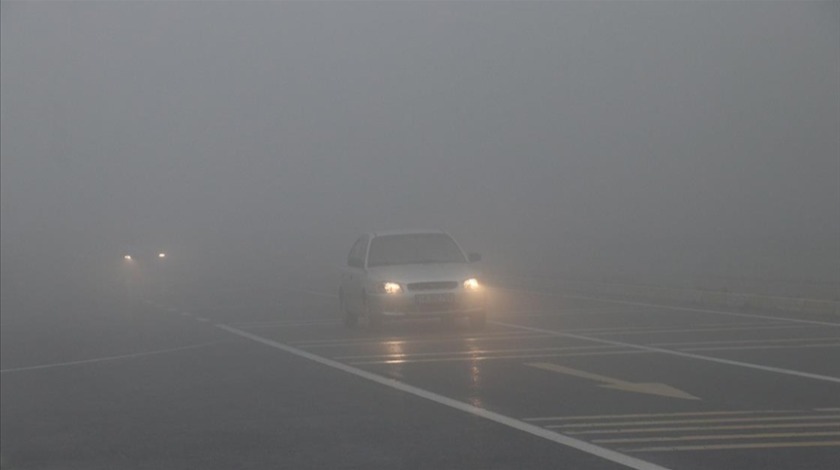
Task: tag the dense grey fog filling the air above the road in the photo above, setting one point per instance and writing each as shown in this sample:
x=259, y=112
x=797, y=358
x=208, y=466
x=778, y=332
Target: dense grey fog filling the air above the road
x=659, y=142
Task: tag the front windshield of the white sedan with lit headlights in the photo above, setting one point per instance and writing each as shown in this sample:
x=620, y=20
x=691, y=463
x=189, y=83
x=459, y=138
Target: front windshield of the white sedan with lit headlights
x=414, y=249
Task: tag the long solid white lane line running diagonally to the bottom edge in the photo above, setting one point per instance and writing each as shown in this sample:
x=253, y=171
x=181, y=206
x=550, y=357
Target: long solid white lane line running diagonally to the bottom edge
x=611, y=455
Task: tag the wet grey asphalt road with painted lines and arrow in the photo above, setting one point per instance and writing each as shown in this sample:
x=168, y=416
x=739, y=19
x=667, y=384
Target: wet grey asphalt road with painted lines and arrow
x=269, y=378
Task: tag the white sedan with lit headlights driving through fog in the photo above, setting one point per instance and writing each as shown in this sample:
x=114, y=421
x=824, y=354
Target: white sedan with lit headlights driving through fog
x=410, y=274
